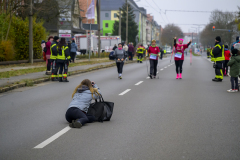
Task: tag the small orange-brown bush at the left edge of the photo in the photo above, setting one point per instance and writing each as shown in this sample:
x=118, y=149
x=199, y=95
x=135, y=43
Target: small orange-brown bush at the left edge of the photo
x=7, y=52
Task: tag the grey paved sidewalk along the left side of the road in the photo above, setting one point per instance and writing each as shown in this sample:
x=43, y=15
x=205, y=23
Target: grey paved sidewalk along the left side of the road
x=31, y=76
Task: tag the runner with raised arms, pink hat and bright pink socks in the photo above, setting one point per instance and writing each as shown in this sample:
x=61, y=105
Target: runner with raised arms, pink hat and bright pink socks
x=179, y=55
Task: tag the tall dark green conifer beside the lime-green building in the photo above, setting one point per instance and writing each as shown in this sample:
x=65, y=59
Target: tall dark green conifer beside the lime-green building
x=132, y=25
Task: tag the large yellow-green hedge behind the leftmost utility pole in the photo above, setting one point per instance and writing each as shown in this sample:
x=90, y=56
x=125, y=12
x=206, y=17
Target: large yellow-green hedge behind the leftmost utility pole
x=19, y=35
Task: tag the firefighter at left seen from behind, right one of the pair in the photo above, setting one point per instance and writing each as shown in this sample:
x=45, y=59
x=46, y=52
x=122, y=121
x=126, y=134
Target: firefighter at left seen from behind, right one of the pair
x=62, y=60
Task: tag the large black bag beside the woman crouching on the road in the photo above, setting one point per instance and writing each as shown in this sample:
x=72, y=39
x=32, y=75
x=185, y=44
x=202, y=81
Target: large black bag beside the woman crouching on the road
x=101, y=110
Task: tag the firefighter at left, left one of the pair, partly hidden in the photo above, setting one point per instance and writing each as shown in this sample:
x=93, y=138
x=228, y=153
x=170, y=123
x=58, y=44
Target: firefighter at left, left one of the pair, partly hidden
x=52, y=59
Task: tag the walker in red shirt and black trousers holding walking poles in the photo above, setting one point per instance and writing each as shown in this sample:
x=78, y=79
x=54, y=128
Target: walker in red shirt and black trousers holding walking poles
x=153, y=52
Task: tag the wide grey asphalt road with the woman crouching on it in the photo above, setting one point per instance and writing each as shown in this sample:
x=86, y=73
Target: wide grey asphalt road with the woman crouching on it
x=160, y=119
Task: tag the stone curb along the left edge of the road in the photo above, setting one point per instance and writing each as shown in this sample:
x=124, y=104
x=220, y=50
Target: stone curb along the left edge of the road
x=42, y=80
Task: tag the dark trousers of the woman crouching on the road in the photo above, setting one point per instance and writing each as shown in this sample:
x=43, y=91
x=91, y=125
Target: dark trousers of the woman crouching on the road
x=74, y=113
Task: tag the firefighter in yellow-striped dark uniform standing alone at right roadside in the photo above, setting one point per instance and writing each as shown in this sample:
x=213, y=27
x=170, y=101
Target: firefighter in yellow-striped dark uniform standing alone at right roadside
x=219, y=58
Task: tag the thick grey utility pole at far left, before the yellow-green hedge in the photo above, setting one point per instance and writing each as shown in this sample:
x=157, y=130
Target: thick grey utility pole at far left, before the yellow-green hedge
x=31, y=33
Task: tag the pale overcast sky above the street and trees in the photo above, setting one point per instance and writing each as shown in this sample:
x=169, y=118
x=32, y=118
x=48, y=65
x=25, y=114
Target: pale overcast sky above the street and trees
x=187, y=5
